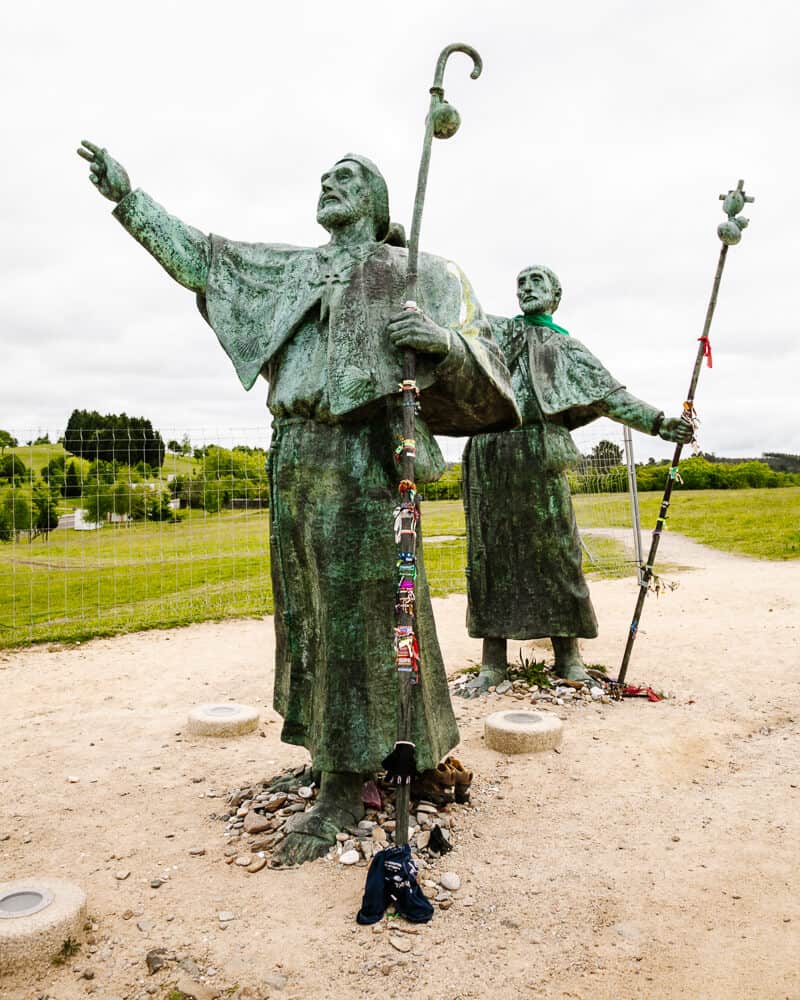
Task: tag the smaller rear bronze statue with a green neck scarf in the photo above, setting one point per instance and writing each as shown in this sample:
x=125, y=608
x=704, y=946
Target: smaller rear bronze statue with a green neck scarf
x=525, y=577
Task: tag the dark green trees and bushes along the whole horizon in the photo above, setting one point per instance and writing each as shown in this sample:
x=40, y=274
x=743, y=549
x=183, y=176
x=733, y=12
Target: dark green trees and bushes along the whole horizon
x=128, y=486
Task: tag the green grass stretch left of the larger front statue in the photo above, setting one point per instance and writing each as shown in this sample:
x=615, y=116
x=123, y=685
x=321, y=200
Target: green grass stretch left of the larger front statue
x=129, y=577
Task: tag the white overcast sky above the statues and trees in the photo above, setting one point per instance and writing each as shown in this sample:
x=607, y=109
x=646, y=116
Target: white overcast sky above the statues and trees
x=596, y=142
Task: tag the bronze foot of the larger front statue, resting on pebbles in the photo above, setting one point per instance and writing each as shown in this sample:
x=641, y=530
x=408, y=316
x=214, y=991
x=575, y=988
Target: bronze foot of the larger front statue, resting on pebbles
x=313, y=833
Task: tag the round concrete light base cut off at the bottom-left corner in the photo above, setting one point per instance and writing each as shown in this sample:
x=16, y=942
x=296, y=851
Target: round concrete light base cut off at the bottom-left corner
x=37, y=917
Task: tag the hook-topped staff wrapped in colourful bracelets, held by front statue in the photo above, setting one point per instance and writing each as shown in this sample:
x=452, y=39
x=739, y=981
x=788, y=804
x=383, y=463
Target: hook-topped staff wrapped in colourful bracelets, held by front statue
x=442, y=122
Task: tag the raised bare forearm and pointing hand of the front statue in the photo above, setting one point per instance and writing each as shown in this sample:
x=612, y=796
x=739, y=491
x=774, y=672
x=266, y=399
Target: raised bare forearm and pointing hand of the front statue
x=183, y=251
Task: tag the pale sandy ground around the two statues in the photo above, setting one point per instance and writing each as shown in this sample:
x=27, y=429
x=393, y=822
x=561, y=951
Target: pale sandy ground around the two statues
x=656, y=856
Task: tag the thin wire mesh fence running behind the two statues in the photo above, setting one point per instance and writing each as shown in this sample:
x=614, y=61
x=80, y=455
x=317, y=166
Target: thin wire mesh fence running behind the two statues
x=121, y=529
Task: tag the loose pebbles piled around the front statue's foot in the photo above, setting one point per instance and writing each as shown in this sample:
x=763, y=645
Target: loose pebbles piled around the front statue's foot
x=257, y=817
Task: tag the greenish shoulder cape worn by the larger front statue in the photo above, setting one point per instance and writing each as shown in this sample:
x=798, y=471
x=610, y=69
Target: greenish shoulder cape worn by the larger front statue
x=258, y=295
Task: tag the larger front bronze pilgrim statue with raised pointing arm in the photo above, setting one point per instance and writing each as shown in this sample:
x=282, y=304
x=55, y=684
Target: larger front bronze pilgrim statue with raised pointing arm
x=324, y=326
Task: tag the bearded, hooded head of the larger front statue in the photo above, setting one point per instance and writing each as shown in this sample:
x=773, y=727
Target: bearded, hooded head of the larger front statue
x=351, y=189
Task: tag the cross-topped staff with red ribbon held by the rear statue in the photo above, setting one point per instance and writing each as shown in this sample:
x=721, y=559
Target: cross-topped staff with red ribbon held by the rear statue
x=730, y=233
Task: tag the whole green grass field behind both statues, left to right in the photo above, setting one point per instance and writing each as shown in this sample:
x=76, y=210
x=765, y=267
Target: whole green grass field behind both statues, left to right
x=146, y=575
